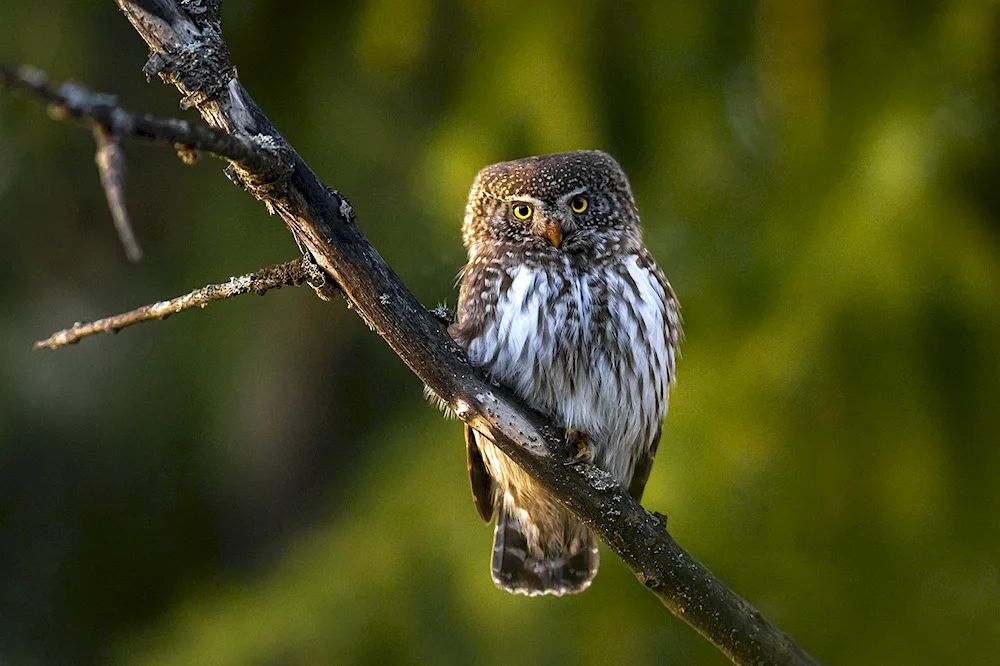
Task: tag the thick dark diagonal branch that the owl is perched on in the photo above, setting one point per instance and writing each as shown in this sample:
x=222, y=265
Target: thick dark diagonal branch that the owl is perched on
x=187, y=51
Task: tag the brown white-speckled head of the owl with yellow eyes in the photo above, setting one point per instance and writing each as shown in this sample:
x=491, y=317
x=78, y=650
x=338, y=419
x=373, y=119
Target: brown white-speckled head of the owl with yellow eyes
x=578, y=203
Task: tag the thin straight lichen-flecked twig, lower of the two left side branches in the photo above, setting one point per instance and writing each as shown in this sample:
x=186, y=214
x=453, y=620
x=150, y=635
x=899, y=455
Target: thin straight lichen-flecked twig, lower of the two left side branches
x=292, y=273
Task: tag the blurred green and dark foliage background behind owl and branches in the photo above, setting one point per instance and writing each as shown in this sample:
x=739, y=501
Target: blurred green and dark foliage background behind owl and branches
x=261, y=482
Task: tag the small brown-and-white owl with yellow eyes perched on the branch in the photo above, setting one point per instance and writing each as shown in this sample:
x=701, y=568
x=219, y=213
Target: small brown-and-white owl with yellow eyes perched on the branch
x=562, y=303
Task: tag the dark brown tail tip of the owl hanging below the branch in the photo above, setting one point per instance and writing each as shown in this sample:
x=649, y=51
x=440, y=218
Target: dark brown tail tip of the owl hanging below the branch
x=564, y=566
